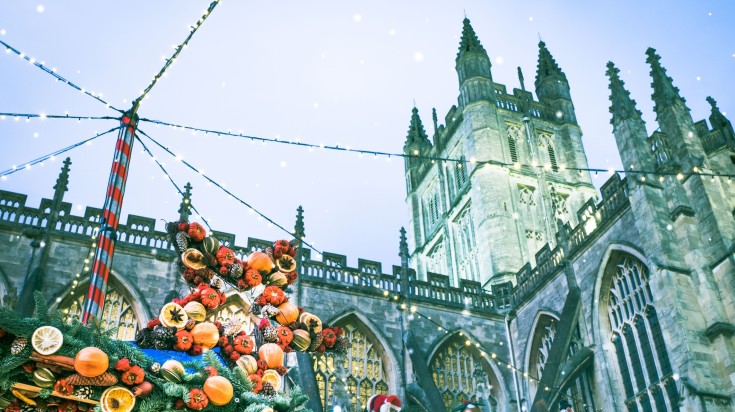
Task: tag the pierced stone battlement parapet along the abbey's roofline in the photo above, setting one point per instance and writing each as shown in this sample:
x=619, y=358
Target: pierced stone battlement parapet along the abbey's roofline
x=139, y=233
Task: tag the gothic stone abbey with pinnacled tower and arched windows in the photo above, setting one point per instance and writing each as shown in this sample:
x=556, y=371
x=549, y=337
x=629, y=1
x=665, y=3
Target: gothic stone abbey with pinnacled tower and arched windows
x=526, y=289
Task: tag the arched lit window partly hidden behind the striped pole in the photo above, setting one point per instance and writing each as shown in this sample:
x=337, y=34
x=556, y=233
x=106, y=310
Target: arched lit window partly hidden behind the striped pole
x=117, y=313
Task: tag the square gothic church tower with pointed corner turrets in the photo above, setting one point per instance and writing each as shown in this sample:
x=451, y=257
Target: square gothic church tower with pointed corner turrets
x=483, y=218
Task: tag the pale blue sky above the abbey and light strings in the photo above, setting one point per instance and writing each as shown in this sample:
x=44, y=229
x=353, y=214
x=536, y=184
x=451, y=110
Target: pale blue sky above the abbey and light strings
x=332, y=72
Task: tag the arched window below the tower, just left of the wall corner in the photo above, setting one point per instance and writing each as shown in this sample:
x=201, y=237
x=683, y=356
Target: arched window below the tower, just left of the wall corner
x=460, y=374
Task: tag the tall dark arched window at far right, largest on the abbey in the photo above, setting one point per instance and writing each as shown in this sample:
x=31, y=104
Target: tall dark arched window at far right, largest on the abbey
x=635, y=334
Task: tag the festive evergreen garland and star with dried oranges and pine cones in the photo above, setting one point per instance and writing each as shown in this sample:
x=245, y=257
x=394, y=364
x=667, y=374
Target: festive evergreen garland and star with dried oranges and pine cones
x=48, y=364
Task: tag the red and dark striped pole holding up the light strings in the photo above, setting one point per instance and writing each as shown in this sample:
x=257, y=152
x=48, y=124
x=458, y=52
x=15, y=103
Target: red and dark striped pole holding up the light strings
x=95, y=299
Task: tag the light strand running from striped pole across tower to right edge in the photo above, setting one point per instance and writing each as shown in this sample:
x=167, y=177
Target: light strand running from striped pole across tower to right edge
x=461, y=162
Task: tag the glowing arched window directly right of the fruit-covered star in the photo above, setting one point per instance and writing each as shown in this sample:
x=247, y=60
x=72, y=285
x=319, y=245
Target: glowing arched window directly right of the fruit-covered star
x=355, y=376
